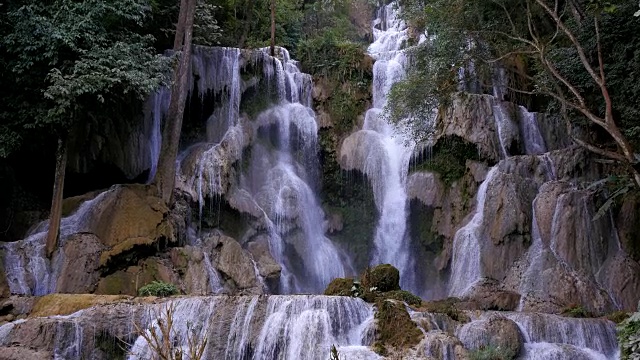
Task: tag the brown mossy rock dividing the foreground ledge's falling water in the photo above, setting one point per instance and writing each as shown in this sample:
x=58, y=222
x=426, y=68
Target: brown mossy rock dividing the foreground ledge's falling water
x=394, y=327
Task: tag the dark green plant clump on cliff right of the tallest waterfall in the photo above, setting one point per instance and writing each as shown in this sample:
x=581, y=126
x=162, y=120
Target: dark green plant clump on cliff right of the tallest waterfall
x=448, y=158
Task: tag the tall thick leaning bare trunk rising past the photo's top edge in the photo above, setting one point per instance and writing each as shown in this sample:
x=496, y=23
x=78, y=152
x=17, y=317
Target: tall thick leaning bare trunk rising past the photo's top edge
x=165, y=177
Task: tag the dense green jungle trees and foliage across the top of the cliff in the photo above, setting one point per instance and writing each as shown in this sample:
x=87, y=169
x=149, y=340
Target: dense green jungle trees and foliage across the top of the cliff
x=65, y=62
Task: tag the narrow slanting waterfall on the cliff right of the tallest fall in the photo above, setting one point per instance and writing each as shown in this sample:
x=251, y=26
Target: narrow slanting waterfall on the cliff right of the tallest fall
x=465, y=262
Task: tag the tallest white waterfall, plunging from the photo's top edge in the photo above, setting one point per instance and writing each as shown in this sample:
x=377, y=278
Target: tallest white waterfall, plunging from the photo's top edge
x=382, y=153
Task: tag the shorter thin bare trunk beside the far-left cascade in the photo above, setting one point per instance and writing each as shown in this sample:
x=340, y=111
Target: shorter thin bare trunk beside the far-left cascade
x=56, y=202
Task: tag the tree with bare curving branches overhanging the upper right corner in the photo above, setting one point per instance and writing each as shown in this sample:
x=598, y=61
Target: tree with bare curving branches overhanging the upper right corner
x=554, y=49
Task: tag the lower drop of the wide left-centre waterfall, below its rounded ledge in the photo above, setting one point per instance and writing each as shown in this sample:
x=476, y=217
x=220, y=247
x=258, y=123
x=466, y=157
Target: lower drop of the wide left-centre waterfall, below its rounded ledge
x=280, y=180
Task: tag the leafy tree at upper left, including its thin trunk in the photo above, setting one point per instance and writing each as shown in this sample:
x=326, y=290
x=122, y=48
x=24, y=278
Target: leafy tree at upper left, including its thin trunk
x=72, y=59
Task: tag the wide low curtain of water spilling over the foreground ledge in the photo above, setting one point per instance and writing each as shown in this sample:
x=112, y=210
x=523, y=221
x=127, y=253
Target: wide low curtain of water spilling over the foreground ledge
x=277, y=327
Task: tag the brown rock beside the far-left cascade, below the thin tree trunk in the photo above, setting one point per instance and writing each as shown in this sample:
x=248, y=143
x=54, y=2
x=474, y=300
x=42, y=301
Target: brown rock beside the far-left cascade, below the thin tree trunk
x=79, y=272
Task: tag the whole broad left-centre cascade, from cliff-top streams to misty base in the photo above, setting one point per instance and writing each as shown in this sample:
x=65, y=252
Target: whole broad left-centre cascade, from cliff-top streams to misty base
x=280, y=177
